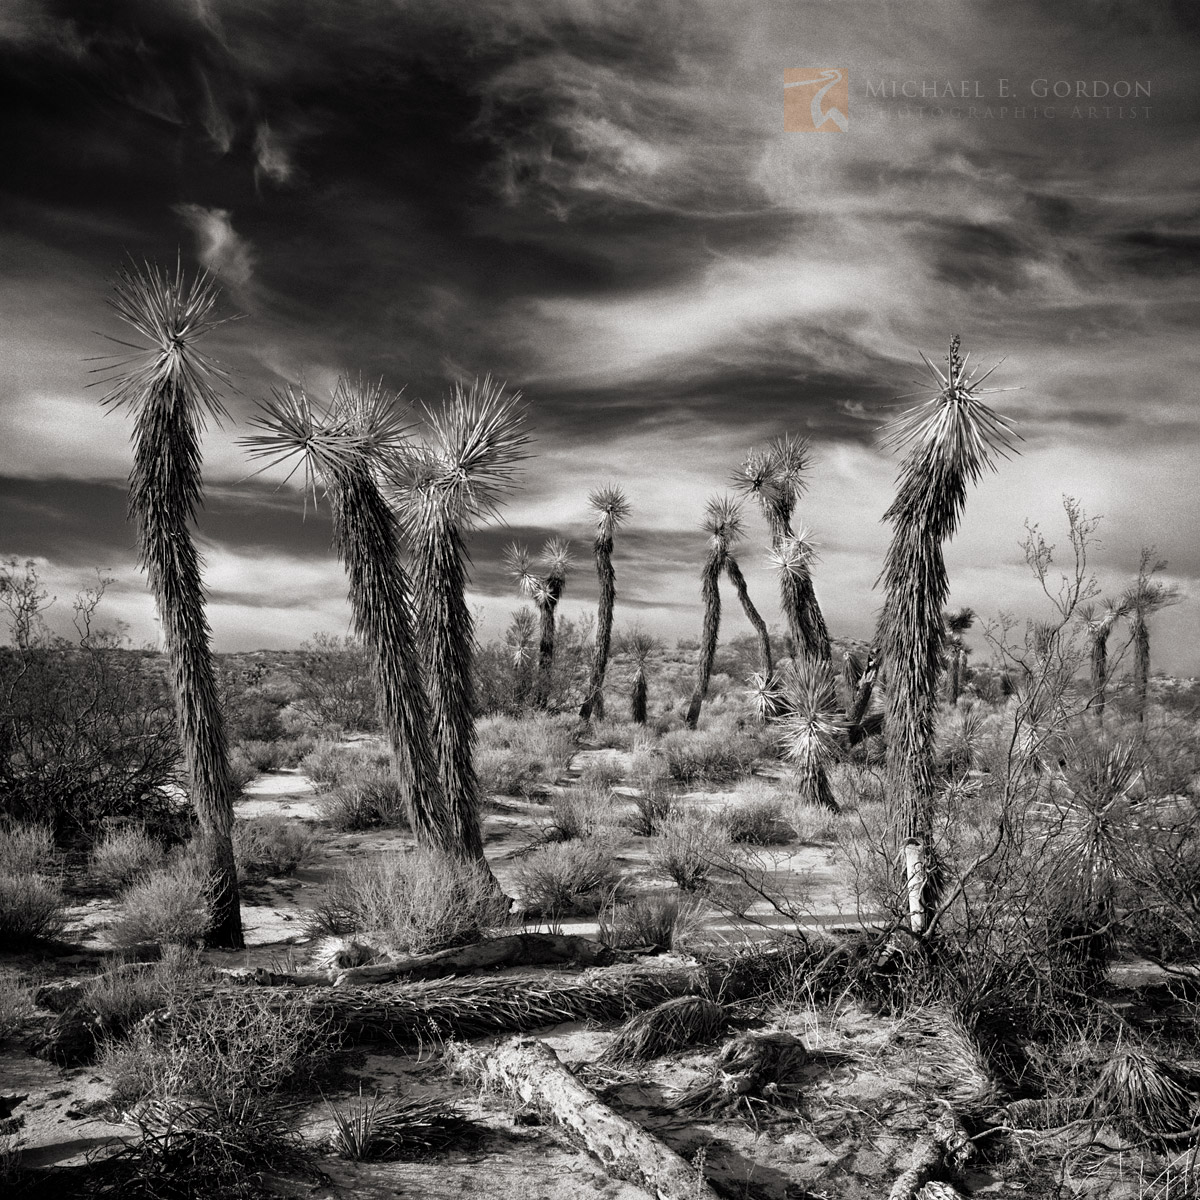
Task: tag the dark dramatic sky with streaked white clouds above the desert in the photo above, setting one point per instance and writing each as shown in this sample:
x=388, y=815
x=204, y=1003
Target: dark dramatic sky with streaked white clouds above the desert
x=599, y=203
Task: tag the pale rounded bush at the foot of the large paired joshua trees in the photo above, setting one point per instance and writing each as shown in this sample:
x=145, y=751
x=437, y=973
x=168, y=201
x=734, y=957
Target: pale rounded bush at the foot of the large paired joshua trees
x=418, y=902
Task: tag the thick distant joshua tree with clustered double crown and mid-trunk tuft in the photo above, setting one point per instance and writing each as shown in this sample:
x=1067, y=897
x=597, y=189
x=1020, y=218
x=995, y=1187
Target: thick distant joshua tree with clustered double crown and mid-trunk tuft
x=776, y=478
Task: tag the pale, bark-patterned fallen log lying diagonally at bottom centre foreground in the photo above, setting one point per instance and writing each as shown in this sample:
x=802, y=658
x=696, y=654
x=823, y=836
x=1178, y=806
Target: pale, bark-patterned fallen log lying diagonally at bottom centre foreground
x=530, y=1070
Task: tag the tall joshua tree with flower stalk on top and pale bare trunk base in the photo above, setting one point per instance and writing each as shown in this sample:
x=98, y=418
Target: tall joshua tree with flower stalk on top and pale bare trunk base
x=950, y=441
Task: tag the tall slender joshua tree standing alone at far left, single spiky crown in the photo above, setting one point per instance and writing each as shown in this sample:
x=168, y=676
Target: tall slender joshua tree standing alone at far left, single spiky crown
x=171, y=388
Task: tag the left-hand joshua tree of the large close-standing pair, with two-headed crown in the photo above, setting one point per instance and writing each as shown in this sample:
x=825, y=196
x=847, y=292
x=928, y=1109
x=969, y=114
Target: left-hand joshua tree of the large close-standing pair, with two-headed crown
x=347, y=451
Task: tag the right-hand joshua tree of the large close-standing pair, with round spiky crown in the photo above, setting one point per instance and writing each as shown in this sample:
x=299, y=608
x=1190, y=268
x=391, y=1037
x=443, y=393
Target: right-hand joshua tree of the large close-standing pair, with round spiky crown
x=454, y=482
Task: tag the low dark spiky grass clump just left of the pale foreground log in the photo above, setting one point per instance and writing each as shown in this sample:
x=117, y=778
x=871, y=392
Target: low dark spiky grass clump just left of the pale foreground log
x=391, y=1129
